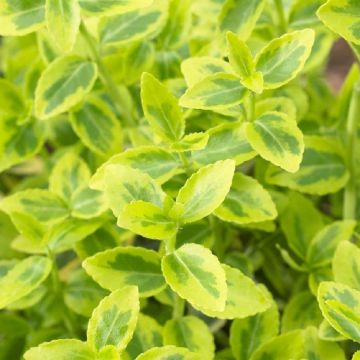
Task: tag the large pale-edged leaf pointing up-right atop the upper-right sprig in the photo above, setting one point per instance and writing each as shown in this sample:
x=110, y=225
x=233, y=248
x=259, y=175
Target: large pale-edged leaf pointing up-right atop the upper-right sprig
x=283, y=58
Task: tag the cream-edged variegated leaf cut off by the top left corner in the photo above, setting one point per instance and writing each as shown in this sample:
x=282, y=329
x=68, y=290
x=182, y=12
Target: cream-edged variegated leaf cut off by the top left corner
x=21, y=17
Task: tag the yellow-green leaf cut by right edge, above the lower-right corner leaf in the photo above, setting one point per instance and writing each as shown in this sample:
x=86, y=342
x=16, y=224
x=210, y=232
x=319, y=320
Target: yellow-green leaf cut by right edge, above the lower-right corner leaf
x=346, y=264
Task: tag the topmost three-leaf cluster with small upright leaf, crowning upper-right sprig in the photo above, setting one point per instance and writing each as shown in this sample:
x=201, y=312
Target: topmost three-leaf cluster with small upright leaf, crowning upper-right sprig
x=277, y=64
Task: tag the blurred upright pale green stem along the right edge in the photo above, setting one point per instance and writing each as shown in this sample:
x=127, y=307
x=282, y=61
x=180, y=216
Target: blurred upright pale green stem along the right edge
x=349, y=210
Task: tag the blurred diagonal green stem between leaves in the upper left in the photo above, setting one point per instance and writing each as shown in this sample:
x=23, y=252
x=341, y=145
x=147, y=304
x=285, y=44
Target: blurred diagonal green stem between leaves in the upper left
x=120, y=95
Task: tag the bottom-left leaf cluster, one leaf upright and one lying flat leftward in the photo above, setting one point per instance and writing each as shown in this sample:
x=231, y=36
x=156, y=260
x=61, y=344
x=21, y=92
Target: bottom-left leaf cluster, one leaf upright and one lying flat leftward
x=110, y=329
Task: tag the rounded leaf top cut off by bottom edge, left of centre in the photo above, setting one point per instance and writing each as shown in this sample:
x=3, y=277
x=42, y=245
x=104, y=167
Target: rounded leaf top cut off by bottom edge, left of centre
x=167, y=353
